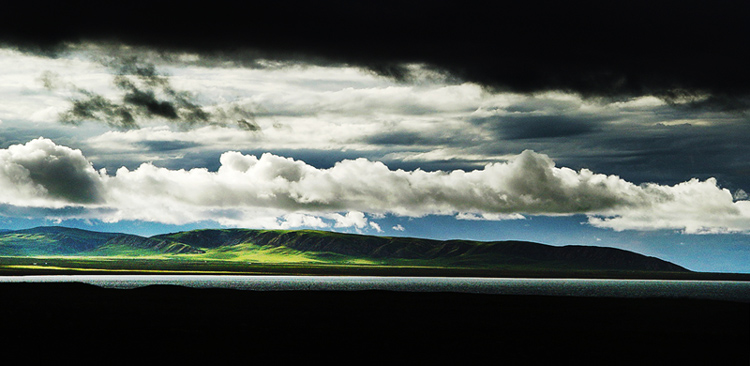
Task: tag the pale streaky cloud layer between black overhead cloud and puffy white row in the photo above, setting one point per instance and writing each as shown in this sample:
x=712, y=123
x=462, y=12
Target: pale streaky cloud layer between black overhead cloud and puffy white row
x=322, y=115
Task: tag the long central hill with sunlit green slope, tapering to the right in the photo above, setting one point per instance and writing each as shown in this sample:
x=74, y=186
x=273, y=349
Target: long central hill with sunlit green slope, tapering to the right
x=336, y=248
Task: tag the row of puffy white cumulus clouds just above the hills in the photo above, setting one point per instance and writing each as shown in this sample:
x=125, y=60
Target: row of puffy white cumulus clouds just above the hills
x=274, y=191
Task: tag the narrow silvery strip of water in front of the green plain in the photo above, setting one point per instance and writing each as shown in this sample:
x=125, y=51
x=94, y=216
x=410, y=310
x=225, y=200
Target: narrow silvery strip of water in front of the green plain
x=718, y=290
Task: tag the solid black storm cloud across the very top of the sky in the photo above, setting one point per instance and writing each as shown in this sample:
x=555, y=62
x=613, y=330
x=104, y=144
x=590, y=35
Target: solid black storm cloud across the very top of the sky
x=602, y=49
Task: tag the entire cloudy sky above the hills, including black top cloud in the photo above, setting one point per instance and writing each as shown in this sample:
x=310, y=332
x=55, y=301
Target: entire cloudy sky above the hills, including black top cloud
x=620, y=125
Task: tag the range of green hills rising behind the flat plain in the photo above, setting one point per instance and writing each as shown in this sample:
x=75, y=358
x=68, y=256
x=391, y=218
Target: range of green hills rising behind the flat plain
x=322, y=247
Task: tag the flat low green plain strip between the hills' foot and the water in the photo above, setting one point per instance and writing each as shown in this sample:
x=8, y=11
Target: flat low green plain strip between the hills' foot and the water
x=264, y=265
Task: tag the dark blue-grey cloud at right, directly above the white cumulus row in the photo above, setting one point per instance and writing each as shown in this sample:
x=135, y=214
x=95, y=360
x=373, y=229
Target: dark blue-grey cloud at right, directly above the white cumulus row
x=648, y=153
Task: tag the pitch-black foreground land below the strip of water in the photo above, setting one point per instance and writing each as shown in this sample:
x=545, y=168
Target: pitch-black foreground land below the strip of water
x=173, y=324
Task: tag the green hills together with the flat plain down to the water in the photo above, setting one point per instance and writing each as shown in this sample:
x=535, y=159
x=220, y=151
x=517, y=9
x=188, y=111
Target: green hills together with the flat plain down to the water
x=58, y=250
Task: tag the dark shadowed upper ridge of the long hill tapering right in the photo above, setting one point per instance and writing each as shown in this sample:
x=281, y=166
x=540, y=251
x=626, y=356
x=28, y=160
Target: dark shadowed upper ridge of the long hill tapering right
x=468, y=252
